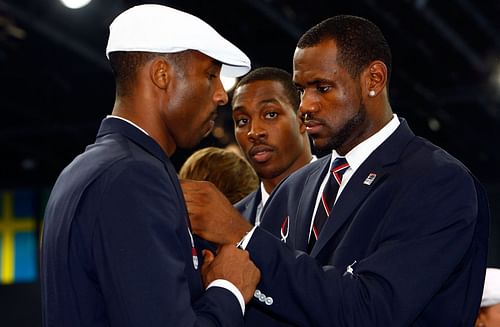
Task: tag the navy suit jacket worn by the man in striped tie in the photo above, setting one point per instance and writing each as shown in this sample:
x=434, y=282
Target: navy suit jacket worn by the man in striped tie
x=407, y=249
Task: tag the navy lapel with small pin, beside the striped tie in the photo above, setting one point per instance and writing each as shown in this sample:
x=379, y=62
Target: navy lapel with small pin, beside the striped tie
x=380, y=163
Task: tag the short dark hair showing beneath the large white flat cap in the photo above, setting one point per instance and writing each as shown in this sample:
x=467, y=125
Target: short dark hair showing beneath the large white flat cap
x=126, y=64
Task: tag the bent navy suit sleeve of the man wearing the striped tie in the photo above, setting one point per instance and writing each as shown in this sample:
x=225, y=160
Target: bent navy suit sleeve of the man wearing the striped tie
x=425, y=235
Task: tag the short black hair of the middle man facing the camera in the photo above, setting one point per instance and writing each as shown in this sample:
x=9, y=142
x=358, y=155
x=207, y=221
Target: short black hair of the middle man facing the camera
x=274, y=74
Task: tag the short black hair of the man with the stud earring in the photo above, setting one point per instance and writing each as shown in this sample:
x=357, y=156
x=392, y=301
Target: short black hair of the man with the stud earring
x=359, y=42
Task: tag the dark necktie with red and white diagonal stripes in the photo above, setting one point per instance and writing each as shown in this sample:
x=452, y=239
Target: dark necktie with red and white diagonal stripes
x=337, y=170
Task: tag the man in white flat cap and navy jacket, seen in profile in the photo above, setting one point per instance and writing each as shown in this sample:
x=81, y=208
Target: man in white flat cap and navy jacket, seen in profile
x=117, y=248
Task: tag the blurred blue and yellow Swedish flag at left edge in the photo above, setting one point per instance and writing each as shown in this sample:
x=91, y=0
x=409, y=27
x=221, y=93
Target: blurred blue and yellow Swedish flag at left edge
x=18, y=245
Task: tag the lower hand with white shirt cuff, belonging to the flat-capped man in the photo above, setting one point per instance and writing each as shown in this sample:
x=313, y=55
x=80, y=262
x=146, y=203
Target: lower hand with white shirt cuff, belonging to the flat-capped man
x=234, y=265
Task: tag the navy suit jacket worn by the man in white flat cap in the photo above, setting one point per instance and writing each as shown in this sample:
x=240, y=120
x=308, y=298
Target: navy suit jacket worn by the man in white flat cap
x=116, y=250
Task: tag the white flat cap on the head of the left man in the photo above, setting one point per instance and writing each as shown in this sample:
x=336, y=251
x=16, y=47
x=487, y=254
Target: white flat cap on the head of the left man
x=157, y=28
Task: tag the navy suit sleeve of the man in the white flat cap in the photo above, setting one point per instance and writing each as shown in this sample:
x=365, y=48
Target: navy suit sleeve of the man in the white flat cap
x=141, y=248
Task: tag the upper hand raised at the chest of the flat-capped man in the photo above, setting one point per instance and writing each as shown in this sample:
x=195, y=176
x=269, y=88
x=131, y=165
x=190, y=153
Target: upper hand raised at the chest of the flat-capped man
x=212, y=216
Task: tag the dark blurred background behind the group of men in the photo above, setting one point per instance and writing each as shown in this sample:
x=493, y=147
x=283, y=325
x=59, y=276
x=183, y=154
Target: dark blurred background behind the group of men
x=56, y=87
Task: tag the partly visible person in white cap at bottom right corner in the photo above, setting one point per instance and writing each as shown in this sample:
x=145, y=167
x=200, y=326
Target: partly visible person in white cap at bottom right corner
x=489, y=313
